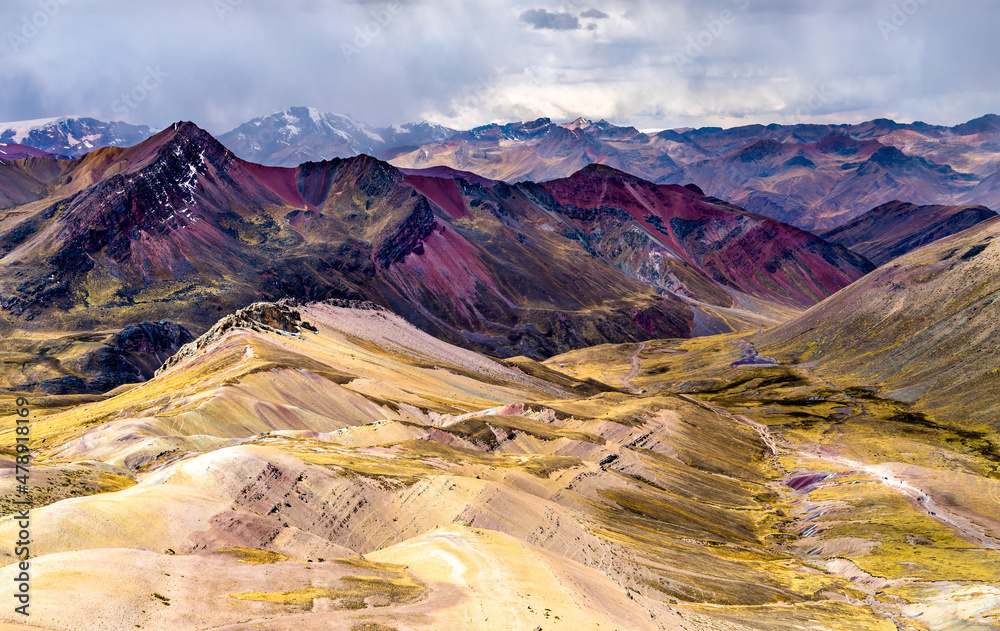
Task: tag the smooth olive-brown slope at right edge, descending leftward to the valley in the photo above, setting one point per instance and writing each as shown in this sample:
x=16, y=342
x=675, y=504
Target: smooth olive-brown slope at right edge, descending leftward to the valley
x=921, y=328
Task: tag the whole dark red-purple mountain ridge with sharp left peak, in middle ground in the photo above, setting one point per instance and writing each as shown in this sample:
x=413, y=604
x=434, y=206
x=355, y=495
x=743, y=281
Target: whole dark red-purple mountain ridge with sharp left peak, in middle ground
x=177, y=227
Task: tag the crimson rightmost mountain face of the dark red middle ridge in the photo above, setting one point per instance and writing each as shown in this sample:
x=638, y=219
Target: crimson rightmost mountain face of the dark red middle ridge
x=732, y=248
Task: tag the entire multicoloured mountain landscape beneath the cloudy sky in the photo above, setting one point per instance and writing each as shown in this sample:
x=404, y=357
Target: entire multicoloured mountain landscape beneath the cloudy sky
x=345, y=394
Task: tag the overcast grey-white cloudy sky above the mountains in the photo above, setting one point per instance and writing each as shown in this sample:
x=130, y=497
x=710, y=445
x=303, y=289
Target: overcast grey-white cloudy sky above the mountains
x=651, y=63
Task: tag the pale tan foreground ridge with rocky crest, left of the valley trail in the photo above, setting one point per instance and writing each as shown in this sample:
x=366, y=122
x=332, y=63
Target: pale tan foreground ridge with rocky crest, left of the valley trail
x=325, y=464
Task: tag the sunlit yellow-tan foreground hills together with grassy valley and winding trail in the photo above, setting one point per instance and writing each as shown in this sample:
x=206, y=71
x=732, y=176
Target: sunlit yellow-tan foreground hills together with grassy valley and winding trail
x=326, y=464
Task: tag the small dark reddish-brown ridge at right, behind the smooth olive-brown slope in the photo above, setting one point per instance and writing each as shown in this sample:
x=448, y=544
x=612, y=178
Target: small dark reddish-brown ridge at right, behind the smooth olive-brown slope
x=896, y=228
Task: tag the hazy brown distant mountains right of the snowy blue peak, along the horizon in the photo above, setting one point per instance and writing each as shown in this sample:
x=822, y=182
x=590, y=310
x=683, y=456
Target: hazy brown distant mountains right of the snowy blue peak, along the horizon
x=812, y=176
